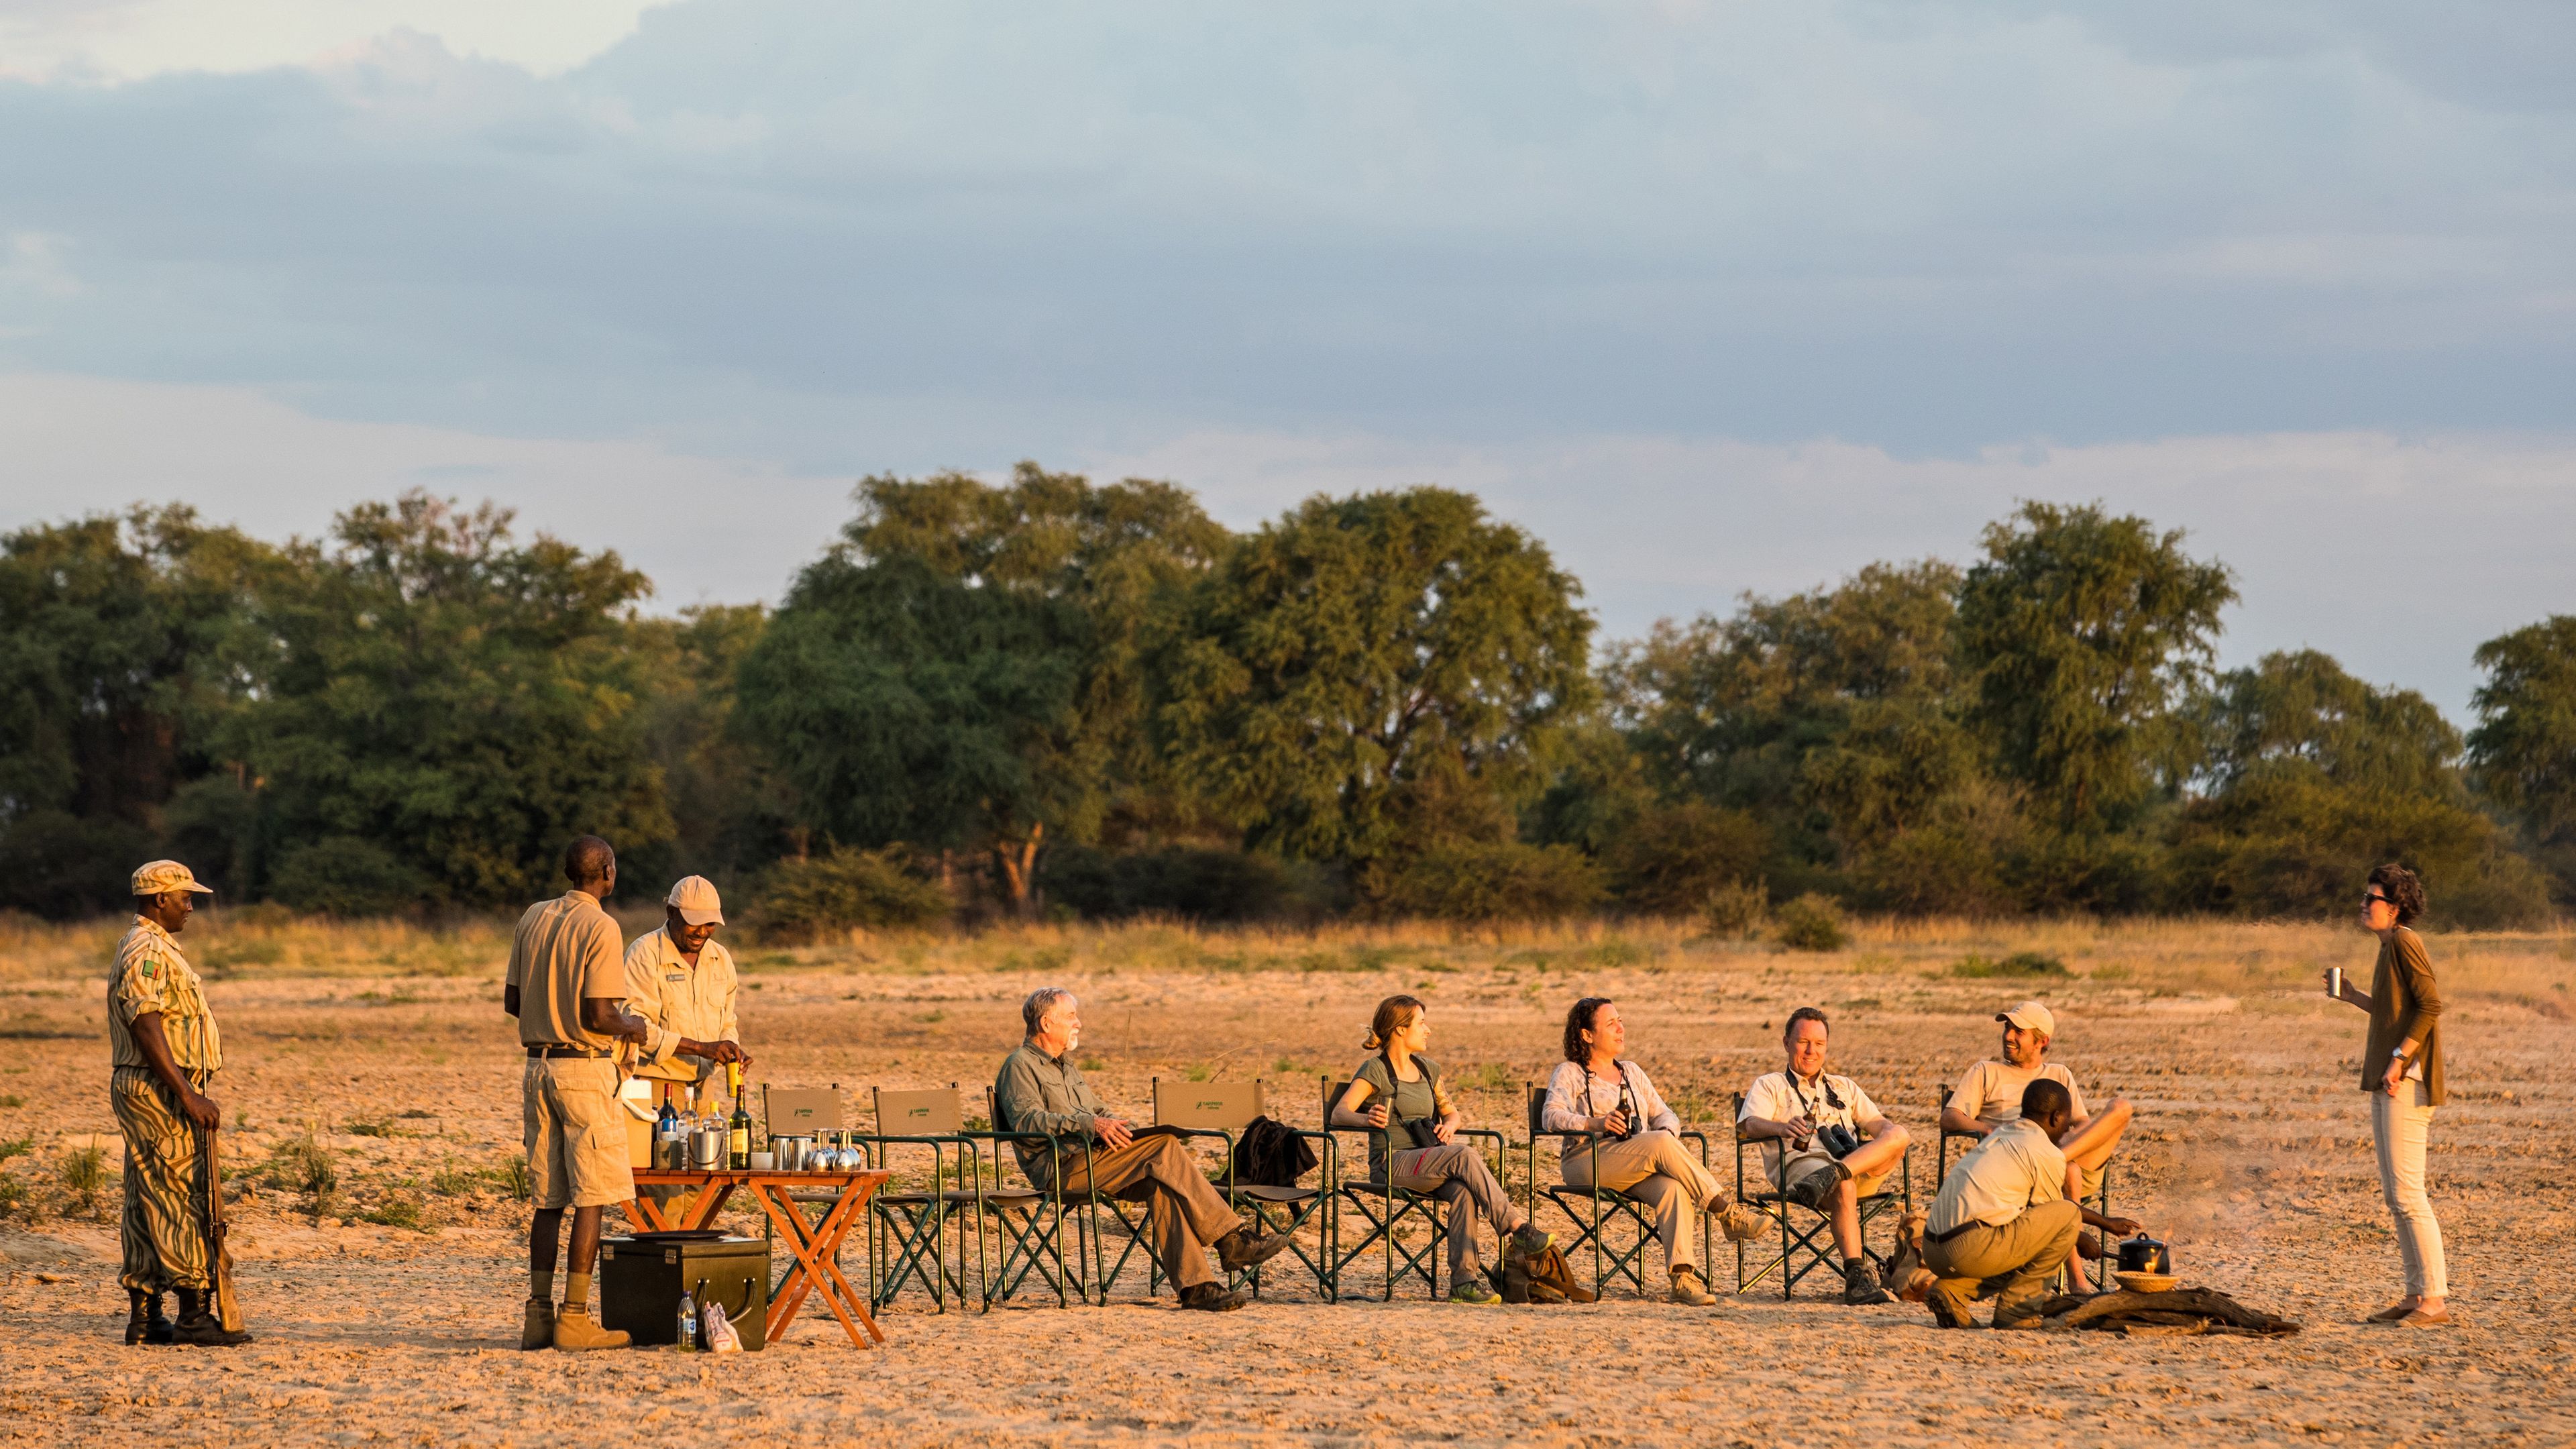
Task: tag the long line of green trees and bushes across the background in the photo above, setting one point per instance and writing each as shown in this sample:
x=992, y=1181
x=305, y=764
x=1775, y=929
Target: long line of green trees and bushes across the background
x=1065, y=697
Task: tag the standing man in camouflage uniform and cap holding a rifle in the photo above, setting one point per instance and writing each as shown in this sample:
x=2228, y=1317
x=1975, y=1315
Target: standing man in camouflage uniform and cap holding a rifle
x=164, y=1056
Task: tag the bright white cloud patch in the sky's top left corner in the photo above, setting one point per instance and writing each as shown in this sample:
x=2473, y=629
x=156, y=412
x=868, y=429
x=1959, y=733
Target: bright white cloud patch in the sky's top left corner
x=138, y=40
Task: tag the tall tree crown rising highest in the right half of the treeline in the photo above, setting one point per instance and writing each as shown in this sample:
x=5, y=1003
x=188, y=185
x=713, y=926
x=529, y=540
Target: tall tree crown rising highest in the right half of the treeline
x=2080, y=633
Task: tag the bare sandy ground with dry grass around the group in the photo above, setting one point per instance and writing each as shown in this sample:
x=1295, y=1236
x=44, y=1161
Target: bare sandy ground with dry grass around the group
x=2250, y=1156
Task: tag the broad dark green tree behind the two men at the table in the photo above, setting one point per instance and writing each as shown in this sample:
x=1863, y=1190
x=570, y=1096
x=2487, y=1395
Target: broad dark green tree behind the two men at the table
x=444, y=708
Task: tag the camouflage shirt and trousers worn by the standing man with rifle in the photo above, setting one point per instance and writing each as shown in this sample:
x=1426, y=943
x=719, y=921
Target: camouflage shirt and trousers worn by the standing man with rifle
x=161, y=1234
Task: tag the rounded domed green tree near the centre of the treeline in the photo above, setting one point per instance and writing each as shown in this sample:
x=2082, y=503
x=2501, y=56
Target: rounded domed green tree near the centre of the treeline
x=1377, y=672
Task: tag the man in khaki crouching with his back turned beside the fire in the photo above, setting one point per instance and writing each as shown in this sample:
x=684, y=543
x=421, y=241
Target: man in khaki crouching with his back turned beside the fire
x=2003, y=1221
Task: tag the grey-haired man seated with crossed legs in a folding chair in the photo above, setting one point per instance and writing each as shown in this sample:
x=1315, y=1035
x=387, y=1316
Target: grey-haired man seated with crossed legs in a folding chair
x=1042, y=1089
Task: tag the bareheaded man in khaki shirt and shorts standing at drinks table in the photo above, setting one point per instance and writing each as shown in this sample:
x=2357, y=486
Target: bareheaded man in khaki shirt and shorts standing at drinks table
x=568, y=994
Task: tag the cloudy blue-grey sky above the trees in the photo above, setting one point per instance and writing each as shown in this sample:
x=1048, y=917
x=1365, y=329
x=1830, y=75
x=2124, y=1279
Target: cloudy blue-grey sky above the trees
x=1712, y=298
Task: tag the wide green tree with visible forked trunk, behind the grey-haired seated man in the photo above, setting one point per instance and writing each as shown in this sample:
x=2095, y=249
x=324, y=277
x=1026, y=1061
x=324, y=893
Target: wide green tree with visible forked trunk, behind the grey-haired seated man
x=967, y=669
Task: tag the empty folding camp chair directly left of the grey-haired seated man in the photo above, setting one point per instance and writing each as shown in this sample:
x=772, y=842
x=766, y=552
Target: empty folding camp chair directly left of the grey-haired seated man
x=908, y=1231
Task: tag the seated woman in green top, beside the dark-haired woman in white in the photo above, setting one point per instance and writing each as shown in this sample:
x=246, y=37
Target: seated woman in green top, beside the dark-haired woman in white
x=1413, y=1123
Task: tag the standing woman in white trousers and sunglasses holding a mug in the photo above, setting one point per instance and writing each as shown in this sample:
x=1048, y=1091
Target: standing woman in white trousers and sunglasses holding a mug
x=2402, y=1071
